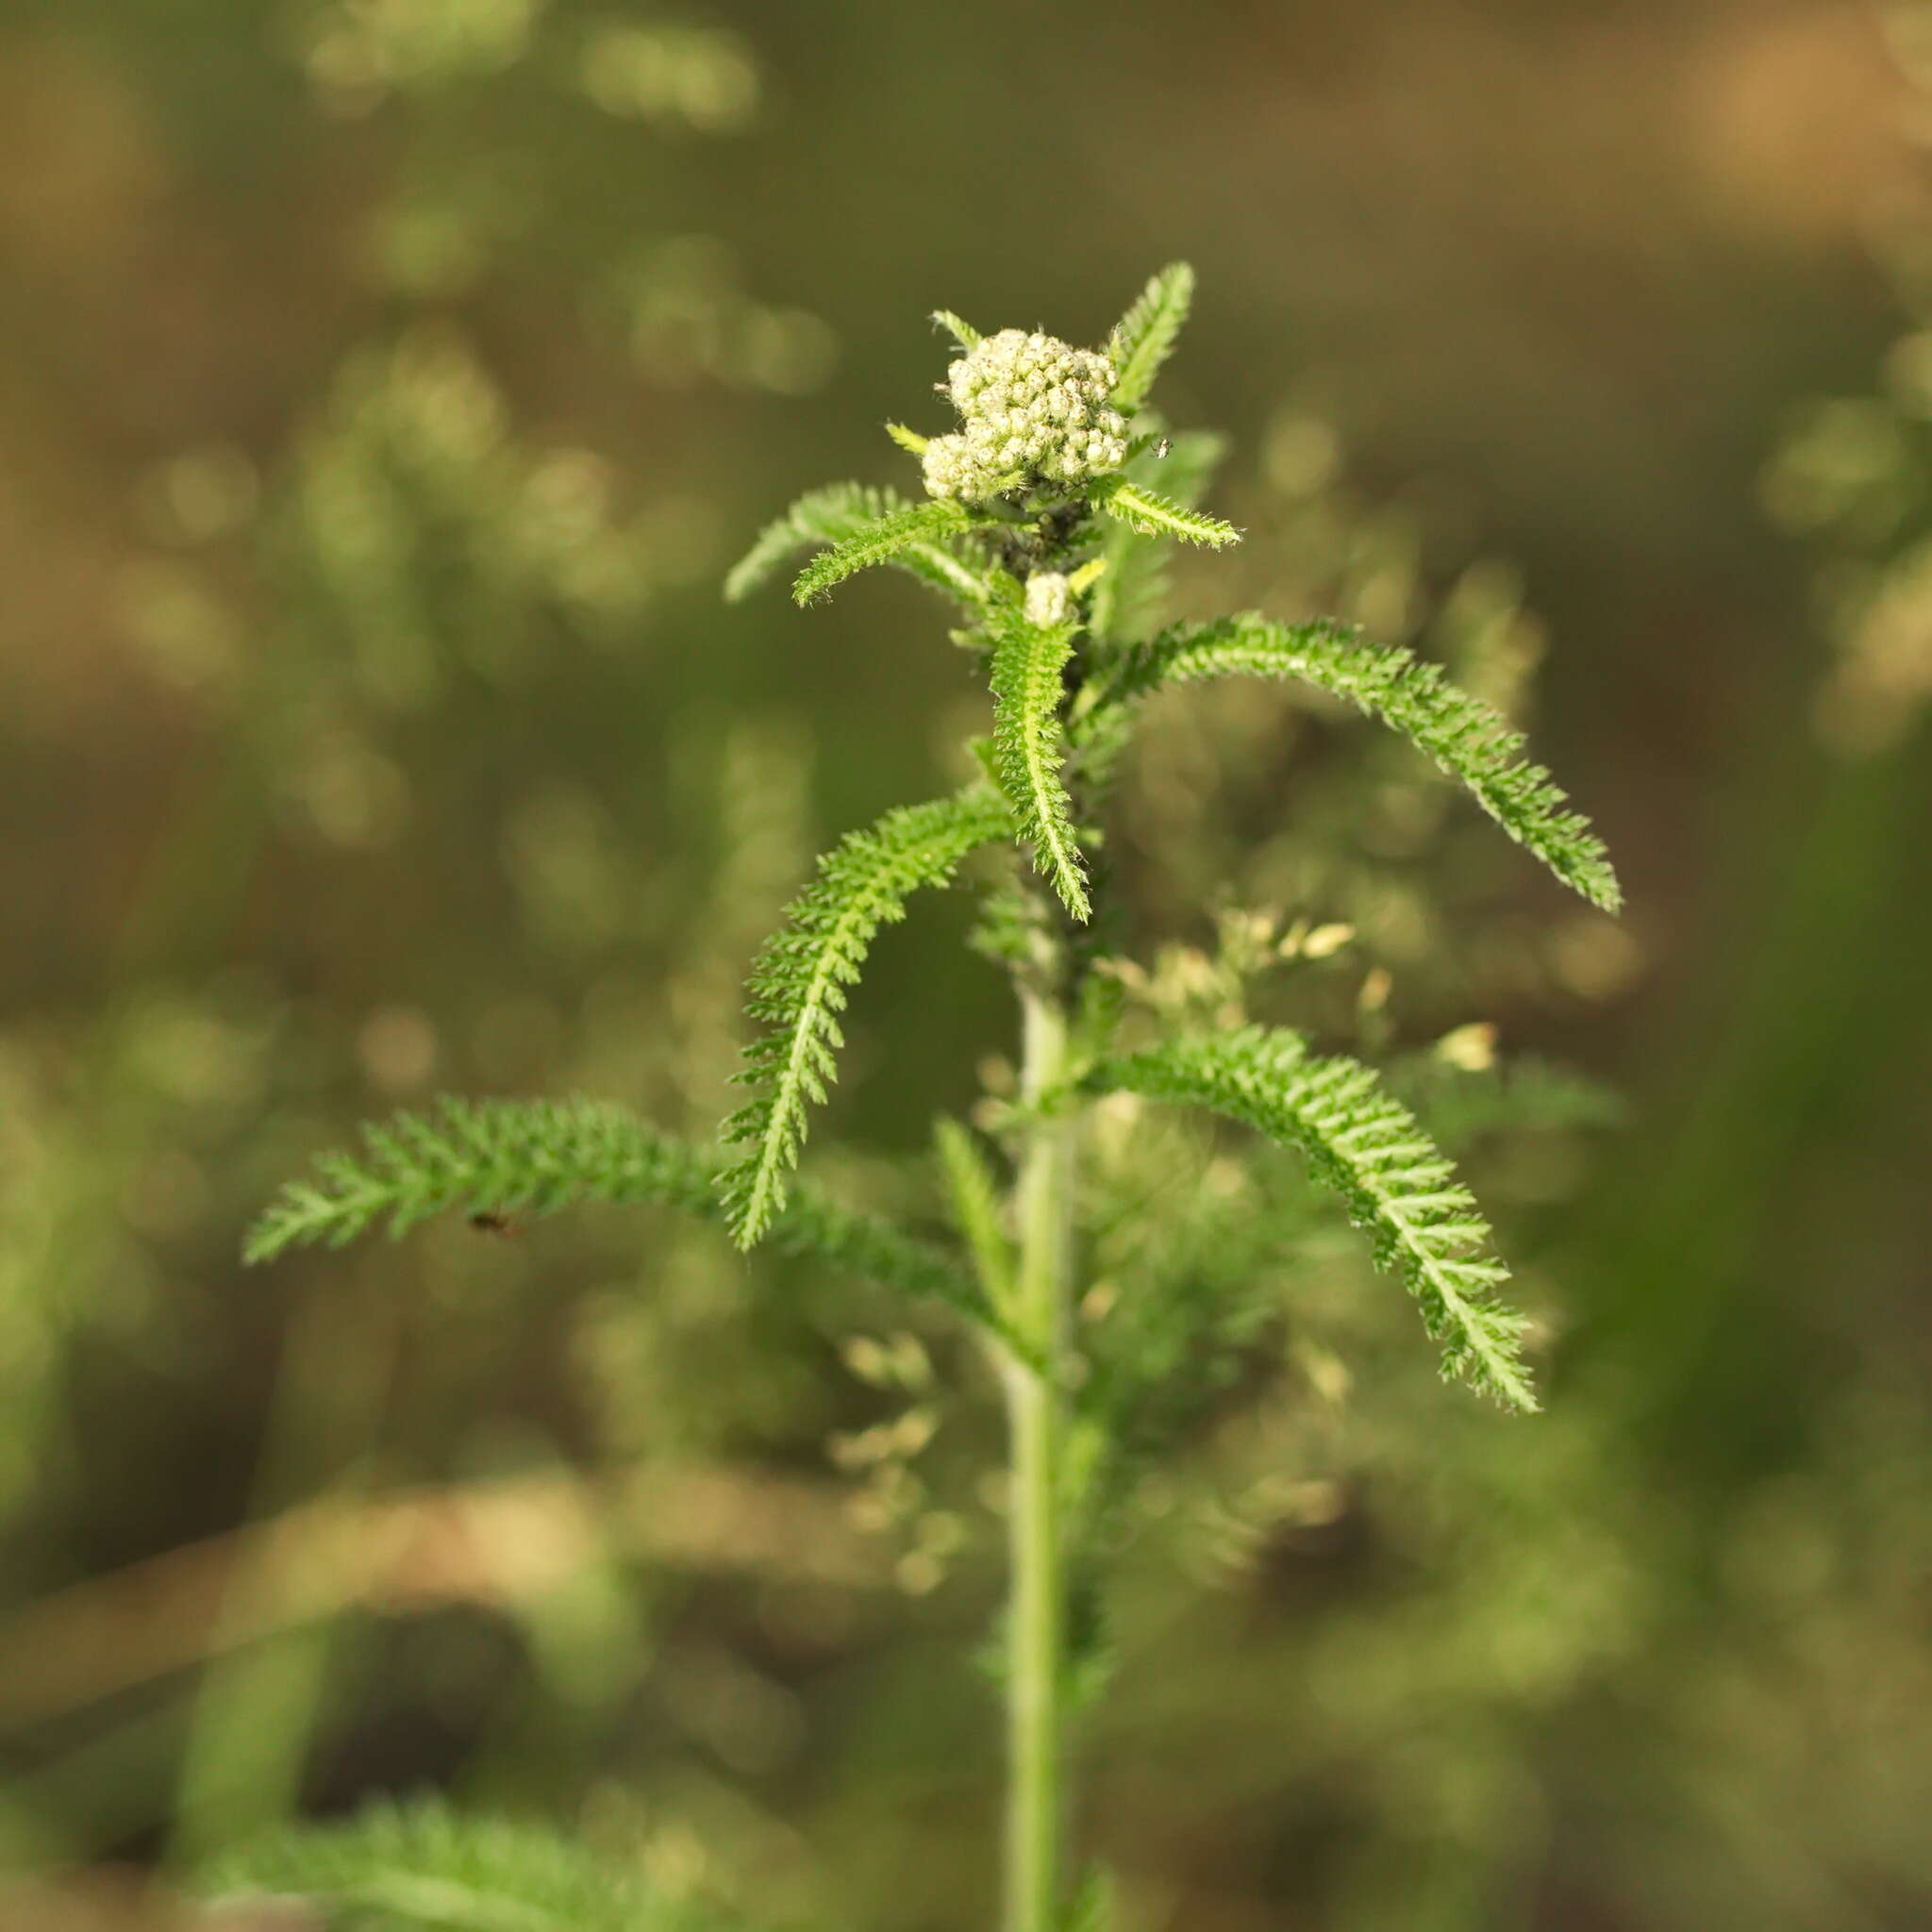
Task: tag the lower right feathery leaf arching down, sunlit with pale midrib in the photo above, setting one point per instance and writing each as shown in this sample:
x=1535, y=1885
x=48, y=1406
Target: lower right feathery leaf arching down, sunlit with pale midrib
x=1373, y=1152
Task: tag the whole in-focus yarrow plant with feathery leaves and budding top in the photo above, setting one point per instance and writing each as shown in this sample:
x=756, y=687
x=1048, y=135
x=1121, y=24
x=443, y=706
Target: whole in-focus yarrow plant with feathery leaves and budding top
x=1044, y=523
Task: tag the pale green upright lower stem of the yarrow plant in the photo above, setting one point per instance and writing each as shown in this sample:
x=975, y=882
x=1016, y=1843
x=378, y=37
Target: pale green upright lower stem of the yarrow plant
x=1037, y=1664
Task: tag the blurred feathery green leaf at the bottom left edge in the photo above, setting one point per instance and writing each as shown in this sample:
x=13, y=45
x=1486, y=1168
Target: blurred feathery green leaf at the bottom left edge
x=422, y=1867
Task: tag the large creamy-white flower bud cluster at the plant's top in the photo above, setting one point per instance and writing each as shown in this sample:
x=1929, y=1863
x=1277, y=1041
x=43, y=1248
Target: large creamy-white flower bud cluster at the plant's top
x=1033, y=411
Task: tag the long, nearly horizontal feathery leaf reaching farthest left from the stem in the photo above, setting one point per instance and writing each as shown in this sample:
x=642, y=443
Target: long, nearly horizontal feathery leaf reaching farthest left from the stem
x=536, y=1158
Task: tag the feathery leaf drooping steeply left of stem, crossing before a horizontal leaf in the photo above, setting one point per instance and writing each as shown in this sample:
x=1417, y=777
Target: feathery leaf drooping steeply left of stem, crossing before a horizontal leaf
x=799, y=984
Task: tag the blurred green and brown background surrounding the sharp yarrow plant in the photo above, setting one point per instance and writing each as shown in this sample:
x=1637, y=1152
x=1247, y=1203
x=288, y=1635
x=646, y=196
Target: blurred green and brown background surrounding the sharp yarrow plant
x=385, y=387
